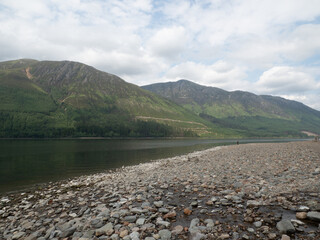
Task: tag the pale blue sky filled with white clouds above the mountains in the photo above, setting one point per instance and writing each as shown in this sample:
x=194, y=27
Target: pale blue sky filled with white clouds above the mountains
x=262, y=46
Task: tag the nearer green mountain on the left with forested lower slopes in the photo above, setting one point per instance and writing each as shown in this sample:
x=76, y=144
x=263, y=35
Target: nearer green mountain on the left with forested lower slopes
x=60, y=99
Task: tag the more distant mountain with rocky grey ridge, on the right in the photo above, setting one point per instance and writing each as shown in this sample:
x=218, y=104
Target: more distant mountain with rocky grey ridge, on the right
x=248, y=114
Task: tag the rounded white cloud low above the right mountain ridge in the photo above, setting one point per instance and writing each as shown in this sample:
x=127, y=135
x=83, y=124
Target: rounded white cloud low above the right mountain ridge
x=284, y=79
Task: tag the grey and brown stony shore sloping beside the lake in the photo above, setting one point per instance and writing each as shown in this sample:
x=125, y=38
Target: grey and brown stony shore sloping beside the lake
x=251, y=191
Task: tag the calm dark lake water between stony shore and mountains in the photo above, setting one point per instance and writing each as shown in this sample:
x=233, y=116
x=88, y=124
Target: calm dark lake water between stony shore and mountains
x=24, y=163
